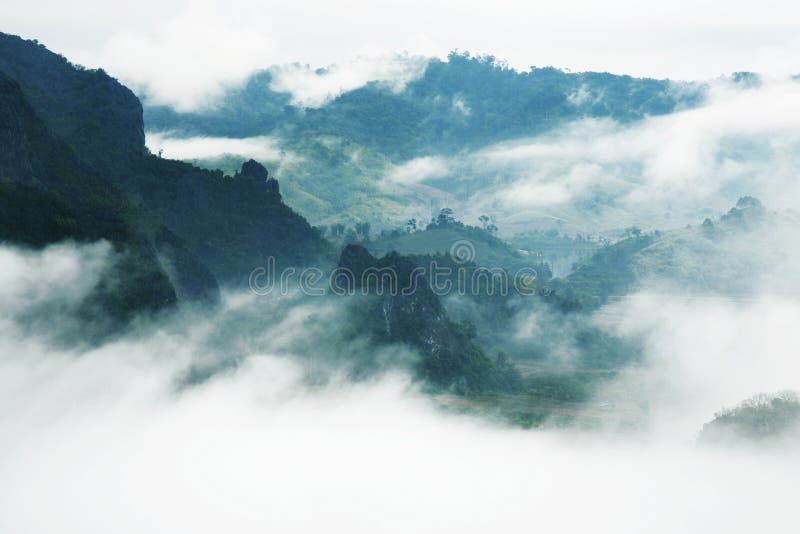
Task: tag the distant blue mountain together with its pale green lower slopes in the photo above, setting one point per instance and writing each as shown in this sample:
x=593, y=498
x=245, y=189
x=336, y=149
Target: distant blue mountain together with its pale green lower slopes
x=338, y=159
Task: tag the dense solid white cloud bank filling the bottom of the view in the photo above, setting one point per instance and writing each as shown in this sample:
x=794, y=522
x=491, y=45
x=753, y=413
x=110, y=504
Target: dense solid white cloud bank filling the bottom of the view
x=99, y=439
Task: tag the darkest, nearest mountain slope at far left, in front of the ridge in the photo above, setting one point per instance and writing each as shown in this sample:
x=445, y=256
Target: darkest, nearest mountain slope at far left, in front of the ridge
x=46, y=196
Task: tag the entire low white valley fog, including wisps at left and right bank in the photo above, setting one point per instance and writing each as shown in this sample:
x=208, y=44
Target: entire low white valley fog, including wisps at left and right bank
x=111, y=439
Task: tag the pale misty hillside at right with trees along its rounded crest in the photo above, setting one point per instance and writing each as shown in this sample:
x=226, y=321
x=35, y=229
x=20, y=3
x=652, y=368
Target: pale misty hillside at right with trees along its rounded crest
x=734, y=256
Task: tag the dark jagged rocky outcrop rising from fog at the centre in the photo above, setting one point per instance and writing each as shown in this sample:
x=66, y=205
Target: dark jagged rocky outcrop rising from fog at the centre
x=406, y=310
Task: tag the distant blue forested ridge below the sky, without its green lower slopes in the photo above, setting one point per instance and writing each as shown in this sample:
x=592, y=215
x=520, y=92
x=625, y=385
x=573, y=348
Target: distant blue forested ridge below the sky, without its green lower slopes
x=464, y=102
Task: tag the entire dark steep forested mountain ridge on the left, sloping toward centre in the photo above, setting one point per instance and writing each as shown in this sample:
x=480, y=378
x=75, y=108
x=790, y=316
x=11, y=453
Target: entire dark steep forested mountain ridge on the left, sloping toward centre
x=78, y=141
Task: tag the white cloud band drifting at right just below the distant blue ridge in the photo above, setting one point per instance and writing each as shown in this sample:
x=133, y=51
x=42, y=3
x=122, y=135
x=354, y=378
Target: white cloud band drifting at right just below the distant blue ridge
x=662, y=172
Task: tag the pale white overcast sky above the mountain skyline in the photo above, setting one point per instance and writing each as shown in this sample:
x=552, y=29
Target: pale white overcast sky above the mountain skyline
x=176, y=46
